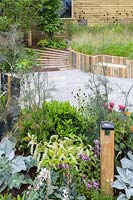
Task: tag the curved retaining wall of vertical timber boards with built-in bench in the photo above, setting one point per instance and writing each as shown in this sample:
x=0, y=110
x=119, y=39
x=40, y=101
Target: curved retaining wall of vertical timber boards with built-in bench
x=113, y=66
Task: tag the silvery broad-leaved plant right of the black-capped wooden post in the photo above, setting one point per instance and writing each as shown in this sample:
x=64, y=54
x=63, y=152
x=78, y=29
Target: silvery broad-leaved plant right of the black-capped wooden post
x=125, y=178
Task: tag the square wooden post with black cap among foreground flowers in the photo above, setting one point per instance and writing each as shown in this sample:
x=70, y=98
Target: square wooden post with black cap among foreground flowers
x=107, y=157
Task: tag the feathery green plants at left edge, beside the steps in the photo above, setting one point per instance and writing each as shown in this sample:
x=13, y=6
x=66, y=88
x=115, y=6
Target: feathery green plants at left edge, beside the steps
x=14, y=57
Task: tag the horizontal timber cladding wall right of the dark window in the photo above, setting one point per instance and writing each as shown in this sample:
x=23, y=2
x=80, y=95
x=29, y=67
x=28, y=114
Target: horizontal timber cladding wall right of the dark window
x=102, y=11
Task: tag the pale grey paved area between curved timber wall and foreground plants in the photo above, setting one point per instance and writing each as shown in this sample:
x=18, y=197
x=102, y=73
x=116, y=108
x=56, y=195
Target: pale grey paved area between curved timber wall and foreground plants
x=65, y=82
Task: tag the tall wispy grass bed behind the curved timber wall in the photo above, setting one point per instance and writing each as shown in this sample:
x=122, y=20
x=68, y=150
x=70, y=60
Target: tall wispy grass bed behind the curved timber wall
x=116, y=40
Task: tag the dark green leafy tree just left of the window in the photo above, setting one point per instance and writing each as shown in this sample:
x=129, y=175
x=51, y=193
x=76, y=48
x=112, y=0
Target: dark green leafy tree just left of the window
x=50, y=21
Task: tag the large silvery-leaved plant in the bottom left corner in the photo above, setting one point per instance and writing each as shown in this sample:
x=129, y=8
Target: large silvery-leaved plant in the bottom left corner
x=11, y=166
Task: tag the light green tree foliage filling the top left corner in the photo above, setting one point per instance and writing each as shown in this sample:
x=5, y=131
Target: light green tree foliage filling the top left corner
x=20, y=13
